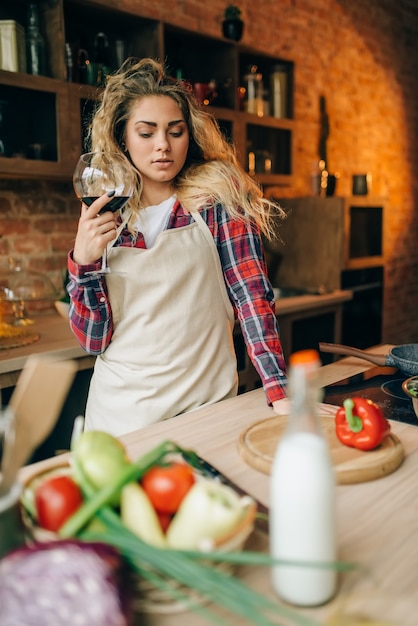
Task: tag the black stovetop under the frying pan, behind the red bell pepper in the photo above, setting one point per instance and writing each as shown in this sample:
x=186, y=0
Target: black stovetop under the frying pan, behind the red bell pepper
x=380, y=386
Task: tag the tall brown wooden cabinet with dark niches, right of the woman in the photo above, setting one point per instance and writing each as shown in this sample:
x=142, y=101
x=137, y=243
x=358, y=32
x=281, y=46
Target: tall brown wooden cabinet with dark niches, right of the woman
x=337, y=243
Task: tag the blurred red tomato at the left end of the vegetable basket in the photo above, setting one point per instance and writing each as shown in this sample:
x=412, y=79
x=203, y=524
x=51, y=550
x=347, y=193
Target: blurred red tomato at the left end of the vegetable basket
x=56, y=499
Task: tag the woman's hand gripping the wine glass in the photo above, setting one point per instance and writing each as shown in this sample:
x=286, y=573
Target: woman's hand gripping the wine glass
x=94, y=231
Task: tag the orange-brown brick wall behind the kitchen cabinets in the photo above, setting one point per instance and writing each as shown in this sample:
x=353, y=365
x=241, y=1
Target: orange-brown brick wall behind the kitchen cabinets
x=362, y=56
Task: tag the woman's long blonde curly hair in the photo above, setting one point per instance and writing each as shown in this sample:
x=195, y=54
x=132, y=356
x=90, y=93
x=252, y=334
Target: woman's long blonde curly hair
x=211, y=174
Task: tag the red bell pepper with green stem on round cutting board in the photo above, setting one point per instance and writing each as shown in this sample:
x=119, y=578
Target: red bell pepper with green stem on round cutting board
x=360, y=423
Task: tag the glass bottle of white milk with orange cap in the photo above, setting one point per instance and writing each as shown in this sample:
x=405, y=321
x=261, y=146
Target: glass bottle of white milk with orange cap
x=302, y=494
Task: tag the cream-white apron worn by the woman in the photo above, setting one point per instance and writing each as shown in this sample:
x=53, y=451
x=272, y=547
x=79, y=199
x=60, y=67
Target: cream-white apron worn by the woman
x=172, y=348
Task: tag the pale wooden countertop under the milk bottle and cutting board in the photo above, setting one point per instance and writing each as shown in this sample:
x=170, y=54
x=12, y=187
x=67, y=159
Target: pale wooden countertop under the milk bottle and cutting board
x=377, y=520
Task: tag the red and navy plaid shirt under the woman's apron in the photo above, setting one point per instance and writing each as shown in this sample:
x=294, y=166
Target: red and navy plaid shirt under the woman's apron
x=242, y=258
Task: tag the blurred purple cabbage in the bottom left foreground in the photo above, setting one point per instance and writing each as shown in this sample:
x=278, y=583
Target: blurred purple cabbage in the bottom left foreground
x=64, y=583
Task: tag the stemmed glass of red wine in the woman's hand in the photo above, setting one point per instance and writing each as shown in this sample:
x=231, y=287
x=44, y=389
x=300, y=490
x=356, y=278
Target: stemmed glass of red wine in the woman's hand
x=97, y=173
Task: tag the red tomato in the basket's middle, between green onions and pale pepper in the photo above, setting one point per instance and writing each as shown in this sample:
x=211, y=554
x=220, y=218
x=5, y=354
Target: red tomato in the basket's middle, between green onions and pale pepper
x=166, y=485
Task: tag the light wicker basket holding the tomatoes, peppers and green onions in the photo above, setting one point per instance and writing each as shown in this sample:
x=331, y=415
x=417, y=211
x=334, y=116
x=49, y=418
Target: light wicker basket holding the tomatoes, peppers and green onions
x=147, y=597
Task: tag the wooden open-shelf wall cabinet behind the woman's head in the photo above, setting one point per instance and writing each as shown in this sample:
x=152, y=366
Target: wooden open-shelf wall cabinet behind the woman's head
x=51, y=113
